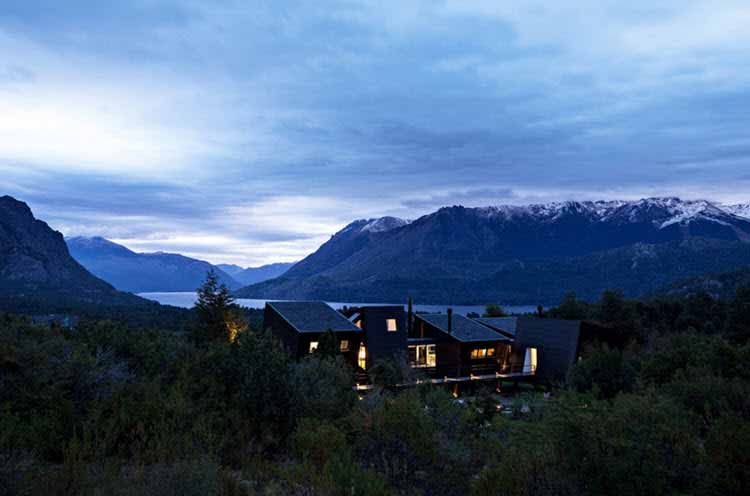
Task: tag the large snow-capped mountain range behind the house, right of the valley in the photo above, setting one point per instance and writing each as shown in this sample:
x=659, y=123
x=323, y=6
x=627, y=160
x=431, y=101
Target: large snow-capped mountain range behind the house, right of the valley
x=520, y=254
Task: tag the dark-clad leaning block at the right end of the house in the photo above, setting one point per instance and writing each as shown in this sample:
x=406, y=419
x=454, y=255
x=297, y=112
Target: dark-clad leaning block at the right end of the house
x=556, y=342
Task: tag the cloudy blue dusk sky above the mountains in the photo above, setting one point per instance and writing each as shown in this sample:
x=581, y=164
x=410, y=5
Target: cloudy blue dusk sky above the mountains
x=249, y=132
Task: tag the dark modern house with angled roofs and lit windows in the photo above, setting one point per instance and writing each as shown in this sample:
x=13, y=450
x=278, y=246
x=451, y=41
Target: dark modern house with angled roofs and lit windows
x=443, y=347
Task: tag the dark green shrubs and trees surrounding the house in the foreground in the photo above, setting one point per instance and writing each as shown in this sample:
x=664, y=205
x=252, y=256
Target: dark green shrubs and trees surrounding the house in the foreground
x=110, y=410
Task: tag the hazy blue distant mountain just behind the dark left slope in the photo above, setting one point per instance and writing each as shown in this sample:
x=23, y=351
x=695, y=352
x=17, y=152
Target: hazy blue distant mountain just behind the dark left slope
x=127, y=270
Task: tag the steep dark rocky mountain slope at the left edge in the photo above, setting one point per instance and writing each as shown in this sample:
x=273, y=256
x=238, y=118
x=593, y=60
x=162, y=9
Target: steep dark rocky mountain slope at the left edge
x=37, y=271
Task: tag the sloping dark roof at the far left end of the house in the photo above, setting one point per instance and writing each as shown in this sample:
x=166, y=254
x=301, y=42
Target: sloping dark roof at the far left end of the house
x=312, y=316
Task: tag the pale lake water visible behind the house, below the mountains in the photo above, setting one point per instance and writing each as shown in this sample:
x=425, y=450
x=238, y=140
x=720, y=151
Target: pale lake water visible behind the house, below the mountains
x=187, y=299
